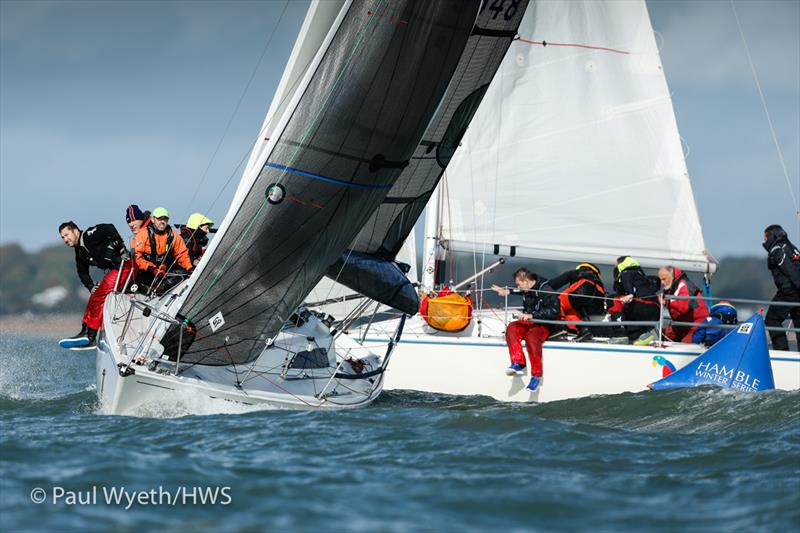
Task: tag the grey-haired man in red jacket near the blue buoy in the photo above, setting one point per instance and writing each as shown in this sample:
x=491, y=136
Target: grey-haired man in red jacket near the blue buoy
x=675, y=282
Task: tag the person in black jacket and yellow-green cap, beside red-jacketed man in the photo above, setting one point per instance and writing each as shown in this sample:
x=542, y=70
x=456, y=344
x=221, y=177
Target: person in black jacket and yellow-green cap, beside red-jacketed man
x=636, y=299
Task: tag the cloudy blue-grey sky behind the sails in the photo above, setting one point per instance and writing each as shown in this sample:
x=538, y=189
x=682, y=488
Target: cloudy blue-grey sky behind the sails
x=103, y=104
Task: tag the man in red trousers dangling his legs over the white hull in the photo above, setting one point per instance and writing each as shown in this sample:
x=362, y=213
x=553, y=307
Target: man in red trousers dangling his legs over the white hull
x=535, y=305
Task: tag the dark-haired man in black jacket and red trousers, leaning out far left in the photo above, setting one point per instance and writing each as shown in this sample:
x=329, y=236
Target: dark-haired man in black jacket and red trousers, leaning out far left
x=100, y=246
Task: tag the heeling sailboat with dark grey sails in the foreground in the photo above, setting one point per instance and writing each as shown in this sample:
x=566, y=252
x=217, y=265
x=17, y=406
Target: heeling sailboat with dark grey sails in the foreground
x=364, y=84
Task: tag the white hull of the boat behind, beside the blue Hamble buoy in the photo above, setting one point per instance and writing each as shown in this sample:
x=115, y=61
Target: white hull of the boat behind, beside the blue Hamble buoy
x=468, y=364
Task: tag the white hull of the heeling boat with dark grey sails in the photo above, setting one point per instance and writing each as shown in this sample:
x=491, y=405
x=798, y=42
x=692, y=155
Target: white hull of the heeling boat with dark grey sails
x=271, y=381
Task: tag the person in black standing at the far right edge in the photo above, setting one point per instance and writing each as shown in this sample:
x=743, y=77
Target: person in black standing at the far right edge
x=783, y=260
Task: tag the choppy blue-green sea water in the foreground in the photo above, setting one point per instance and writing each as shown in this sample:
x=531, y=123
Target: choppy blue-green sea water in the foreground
x=701, y=459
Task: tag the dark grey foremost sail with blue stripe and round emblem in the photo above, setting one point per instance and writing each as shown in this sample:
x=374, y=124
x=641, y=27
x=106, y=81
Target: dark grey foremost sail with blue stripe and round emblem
x=351, y=127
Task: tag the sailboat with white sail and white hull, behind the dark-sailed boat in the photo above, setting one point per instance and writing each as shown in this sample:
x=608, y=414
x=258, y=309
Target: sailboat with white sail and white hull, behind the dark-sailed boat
x=573, y=155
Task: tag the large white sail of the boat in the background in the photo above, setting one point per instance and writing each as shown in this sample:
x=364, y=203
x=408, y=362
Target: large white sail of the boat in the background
x=574, y=153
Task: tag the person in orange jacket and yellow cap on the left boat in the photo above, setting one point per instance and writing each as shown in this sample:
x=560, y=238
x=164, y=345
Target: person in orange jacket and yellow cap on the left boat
x=158, y=247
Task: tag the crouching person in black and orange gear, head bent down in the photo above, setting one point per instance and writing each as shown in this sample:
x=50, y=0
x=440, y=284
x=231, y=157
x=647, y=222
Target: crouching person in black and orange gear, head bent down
x=582, y=298
